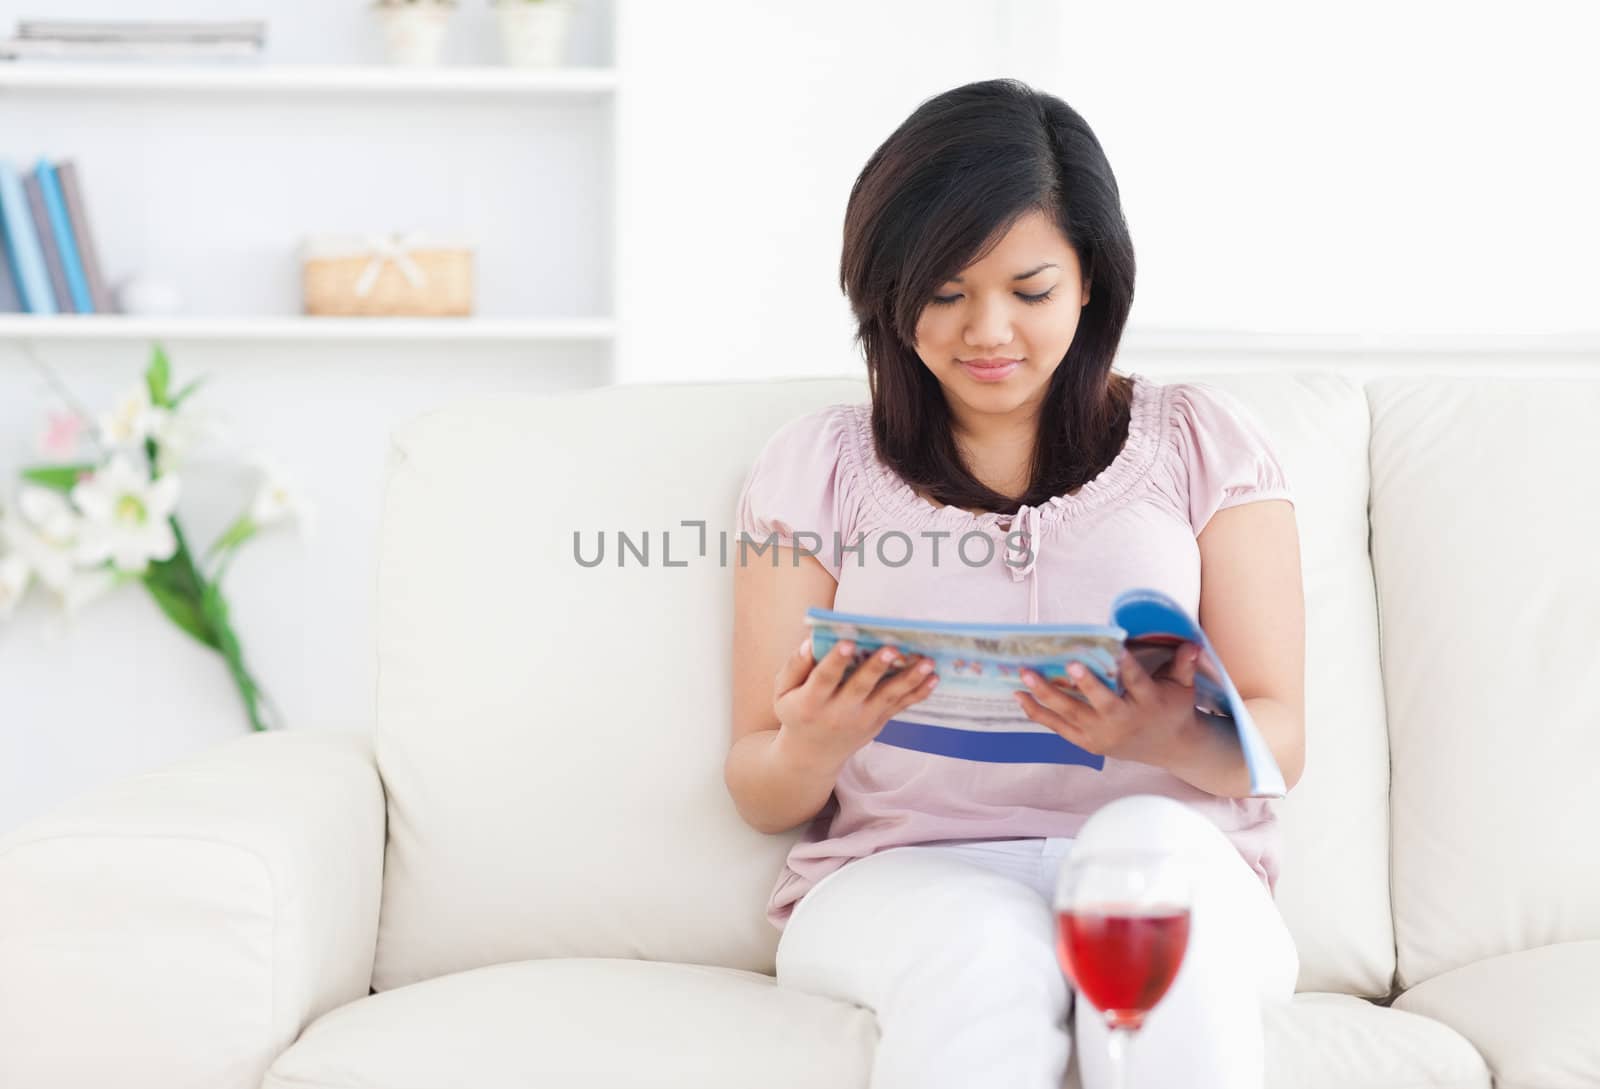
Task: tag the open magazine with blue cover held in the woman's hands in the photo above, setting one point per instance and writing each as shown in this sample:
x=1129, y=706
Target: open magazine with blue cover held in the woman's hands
x=972, y=714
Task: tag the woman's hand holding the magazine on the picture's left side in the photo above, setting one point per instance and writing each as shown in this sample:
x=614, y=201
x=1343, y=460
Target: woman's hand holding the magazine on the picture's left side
x=823, y=720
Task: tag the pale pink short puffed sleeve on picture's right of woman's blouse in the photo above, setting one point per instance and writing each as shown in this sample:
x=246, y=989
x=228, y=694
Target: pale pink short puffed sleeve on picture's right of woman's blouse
x=1225, y=453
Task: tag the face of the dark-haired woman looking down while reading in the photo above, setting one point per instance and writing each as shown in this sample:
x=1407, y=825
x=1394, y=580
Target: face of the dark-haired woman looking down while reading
x=994, y=311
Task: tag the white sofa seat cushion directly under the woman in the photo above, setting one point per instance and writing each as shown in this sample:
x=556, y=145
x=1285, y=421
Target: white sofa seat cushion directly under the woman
x=630, y=1024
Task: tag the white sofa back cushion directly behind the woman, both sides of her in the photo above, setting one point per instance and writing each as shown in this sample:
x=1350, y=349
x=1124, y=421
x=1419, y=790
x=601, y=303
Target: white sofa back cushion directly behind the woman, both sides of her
x=551, y=736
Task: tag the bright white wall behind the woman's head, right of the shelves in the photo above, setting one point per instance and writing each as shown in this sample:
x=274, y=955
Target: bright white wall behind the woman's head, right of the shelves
x=1375, y=167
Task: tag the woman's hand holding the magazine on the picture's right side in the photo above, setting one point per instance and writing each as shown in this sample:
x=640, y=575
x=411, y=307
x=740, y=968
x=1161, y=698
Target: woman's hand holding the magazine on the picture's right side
x=1148, y=724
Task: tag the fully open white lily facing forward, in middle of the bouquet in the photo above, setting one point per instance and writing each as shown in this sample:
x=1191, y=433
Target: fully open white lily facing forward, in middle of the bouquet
x=126, y=516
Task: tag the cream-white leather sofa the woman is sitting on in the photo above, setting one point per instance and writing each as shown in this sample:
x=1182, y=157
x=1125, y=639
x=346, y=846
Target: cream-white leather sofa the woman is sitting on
x=535, y=877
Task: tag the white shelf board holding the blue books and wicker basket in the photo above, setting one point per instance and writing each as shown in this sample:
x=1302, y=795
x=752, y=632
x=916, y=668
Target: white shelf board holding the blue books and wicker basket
x=300, y=329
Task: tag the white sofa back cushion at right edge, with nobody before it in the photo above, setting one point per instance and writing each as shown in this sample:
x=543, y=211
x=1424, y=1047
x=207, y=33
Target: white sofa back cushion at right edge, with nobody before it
x=1486, y=519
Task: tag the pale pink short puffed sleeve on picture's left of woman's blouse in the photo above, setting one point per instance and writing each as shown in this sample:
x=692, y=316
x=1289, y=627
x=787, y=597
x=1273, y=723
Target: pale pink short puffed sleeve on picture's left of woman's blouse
x=801, y=485
